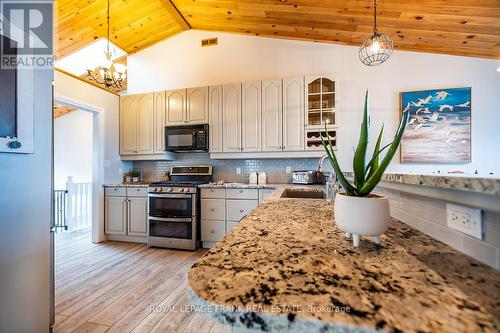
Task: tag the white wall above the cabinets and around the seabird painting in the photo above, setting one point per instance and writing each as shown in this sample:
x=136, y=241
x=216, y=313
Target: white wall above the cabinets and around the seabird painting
x=181, y=62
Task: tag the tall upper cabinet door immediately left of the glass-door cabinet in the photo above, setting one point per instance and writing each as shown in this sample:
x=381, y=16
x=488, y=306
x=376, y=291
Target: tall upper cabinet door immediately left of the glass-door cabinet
x=293, y=114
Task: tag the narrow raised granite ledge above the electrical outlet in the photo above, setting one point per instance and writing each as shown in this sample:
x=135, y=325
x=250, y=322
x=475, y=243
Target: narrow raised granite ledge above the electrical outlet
x=458, y=182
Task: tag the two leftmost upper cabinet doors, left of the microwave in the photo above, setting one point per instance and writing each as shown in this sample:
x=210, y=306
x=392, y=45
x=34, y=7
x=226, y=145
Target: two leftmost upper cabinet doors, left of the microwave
x=136, y=124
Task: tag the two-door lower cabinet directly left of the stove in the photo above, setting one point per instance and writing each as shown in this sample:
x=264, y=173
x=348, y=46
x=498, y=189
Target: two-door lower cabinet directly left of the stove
x=126, y=215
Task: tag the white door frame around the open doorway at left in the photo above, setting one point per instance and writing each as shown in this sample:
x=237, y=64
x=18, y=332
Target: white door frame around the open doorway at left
x=98, y=151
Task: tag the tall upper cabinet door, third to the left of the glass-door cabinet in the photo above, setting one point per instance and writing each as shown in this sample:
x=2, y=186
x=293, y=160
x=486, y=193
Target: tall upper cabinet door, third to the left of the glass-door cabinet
x=250, y=116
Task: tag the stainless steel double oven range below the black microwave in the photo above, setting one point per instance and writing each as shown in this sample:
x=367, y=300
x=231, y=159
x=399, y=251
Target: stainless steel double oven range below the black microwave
x=174, y=208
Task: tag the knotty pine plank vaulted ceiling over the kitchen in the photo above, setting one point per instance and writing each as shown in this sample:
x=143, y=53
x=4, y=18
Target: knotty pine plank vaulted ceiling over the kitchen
x=459, y=27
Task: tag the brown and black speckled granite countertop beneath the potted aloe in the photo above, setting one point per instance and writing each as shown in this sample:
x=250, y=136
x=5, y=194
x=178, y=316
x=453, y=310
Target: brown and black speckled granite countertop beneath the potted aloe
x=286, y=267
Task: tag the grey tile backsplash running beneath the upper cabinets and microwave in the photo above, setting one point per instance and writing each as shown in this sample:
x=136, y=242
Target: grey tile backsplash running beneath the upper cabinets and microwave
x=226, y=169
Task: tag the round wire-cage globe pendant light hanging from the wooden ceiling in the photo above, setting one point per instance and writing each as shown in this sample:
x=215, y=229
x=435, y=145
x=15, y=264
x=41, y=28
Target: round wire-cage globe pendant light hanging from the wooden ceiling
x=378, y=47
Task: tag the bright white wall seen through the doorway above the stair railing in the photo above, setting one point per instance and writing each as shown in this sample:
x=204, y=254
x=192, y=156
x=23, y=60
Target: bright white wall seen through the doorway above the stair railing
x=73, y=148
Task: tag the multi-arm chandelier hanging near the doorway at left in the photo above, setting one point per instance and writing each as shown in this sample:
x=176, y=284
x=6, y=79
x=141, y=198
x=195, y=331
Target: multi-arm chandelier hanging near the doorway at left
x=108, y=74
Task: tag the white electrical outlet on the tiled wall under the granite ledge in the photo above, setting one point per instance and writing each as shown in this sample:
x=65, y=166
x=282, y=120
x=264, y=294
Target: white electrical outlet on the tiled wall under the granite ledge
x=464, y=219
